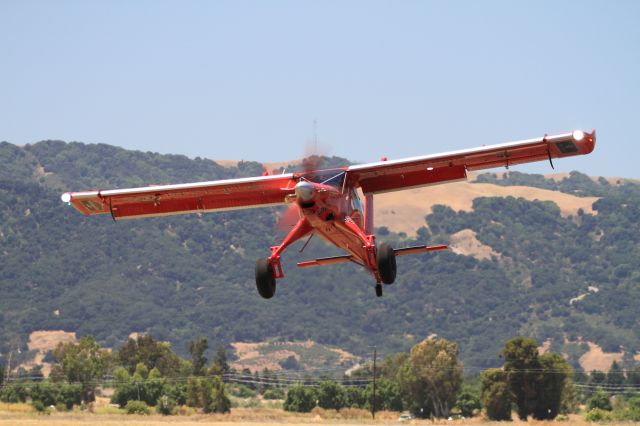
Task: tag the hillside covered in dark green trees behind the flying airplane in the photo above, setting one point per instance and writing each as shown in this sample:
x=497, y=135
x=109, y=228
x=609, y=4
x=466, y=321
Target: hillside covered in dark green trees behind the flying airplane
x=184, y=276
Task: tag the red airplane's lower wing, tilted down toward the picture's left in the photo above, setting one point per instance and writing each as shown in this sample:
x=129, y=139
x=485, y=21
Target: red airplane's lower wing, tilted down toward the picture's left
x=163, y=200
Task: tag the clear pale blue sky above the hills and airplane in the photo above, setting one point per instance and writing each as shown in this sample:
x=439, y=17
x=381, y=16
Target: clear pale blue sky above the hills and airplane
x=246, y=79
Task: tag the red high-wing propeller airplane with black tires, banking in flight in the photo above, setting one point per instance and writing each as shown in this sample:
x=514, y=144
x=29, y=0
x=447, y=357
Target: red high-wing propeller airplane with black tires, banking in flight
x=327, y=201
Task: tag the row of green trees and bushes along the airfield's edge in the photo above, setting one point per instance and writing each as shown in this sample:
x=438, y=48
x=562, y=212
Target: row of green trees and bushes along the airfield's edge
x=428, y=381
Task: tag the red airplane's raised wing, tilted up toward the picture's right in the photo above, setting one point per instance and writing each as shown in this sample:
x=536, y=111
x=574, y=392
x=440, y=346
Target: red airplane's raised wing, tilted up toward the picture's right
x=394, y=175
